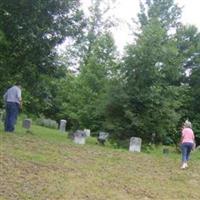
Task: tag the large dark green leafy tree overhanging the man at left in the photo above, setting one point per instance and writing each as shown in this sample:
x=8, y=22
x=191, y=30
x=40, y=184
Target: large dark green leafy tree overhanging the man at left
x=32, y=30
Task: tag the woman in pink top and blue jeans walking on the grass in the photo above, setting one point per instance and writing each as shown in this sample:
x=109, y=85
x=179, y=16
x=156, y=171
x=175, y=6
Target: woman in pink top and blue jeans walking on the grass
x=187, y=143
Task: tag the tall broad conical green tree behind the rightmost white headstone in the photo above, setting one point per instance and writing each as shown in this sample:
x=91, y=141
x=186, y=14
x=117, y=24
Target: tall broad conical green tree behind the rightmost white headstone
x=151, y=73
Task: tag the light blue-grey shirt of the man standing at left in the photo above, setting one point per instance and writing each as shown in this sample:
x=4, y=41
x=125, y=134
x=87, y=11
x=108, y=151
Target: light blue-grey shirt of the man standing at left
x=13, y=94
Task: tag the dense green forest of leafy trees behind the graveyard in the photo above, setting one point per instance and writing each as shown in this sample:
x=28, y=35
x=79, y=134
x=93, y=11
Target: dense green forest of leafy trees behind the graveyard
x=152, y=89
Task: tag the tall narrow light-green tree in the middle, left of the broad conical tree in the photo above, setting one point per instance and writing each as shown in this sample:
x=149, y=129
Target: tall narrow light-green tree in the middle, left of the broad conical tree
x=95, y=57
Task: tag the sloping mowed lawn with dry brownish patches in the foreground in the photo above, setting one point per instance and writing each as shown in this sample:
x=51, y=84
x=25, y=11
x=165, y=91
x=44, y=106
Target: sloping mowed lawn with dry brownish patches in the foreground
x=46, y=165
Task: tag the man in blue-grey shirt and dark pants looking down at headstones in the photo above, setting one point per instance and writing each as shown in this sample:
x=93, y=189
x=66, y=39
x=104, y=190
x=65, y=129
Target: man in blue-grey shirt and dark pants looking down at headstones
x=13, y=102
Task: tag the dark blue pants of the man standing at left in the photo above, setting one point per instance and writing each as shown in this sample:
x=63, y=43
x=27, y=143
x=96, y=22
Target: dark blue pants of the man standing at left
x=12, y=111
